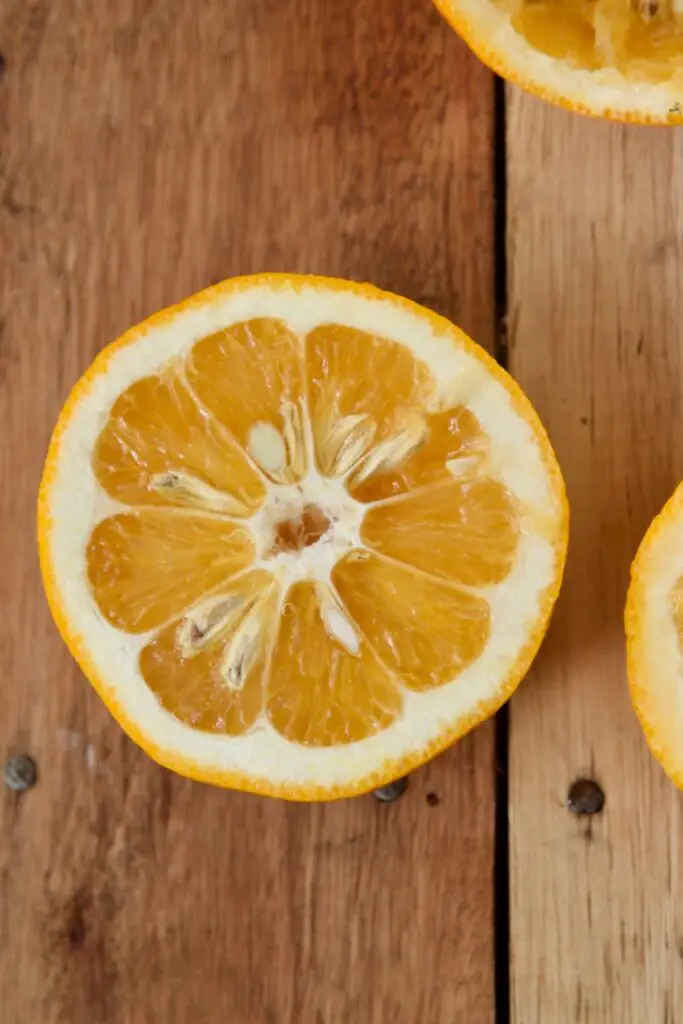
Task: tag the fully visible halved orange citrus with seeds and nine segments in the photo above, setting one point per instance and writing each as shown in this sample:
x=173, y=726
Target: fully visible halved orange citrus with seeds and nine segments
x=301, y=535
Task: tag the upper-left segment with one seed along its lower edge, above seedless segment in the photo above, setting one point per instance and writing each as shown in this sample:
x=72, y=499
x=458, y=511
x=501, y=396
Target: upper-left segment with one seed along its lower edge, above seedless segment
x=159, y=448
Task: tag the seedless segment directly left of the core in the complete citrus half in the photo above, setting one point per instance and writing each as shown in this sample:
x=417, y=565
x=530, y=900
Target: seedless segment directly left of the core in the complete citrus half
x=148, y=567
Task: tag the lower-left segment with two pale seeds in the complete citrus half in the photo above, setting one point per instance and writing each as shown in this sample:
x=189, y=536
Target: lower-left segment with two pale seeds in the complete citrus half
x=188, y=665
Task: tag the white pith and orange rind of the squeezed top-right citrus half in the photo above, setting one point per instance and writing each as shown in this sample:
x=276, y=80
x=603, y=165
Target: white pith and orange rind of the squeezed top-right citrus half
x=492, y=35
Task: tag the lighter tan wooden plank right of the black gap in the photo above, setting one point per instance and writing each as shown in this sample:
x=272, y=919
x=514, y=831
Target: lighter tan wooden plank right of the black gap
x=596, y=308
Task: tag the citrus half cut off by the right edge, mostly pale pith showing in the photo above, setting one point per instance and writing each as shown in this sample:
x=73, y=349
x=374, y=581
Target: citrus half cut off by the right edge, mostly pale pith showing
x=655, y=636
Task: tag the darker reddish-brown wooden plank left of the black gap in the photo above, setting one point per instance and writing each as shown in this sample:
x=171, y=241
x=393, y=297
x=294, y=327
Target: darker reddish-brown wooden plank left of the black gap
x=147, y=151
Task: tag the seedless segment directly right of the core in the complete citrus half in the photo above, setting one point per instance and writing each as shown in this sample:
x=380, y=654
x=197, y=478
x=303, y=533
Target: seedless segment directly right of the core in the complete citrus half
x=464, y=532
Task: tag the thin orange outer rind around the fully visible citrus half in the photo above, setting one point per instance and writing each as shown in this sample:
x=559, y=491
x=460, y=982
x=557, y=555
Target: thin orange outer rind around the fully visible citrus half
x=391, y=769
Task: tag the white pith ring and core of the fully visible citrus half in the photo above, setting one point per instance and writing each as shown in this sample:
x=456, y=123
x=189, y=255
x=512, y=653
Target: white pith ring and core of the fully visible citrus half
x=77, y=502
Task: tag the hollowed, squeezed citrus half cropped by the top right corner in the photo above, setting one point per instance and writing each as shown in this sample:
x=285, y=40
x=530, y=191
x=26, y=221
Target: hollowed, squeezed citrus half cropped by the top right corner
x=612, y=59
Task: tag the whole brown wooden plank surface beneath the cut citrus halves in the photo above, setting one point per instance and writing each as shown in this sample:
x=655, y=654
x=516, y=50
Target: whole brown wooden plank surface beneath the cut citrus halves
x=148, y=150
